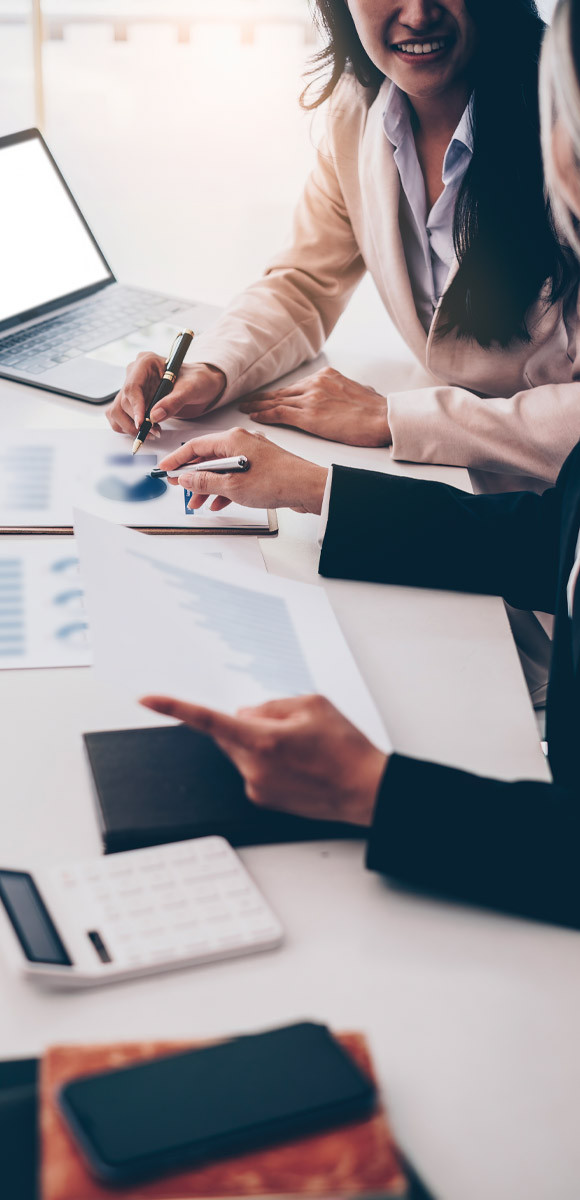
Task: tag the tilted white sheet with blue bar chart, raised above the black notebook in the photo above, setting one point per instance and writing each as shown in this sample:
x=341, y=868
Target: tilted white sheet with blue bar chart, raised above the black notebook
x=211, y=633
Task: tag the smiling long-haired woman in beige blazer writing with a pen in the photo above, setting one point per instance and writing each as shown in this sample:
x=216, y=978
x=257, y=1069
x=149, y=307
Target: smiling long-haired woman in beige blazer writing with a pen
x=501, y=345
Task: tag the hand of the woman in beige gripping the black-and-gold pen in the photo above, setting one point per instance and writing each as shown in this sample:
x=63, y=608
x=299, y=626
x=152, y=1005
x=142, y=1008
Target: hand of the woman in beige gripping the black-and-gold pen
x=196, y=391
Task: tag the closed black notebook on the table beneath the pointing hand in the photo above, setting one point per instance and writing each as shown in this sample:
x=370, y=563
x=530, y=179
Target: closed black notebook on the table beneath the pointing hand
x=169, y=784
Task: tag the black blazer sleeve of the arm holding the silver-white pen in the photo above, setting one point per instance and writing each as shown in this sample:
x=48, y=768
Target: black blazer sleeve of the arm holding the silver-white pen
x=390, y=530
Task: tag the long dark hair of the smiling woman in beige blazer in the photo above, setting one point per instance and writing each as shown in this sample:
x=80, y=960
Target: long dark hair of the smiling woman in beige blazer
x=504, y=232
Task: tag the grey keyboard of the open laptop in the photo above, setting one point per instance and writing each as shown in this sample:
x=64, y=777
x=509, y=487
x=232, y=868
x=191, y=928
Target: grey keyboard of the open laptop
x=104, y=319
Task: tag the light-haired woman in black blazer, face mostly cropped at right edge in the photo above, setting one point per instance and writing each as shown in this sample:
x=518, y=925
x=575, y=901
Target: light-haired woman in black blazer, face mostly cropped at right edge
x=510, y=847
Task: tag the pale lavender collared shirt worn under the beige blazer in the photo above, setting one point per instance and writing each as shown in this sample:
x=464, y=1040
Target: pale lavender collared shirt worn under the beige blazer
x=427, y=238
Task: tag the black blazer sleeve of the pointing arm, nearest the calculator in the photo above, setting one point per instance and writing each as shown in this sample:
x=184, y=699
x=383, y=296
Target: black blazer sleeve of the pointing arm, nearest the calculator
x=509, y=847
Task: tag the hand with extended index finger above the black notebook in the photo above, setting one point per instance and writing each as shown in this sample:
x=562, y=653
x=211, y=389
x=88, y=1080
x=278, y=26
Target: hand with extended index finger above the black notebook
x=297, y=755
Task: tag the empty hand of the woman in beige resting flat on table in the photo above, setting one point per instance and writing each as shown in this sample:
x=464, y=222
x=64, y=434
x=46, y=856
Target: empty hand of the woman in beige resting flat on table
x=328, y=405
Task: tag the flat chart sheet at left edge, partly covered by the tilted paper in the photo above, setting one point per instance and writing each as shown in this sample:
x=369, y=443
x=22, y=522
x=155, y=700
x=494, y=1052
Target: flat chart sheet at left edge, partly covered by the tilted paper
x=44, y=621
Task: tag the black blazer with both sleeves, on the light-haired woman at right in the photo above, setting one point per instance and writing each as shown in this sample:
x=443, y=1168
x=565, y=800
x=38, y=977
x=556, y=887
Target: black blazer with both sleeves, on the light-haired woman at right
x=510, y=847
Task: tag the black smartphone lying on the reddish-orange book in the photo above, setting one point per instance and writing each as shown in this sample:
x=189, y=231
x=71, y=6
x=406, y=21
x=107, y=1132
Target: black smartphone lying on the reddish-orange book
x=139, y=1123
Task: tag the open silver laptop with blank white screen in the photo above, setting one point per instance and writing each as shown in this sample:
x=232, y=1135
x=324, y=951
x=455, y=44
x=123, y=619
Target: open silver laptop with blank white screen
x=65, y=322
